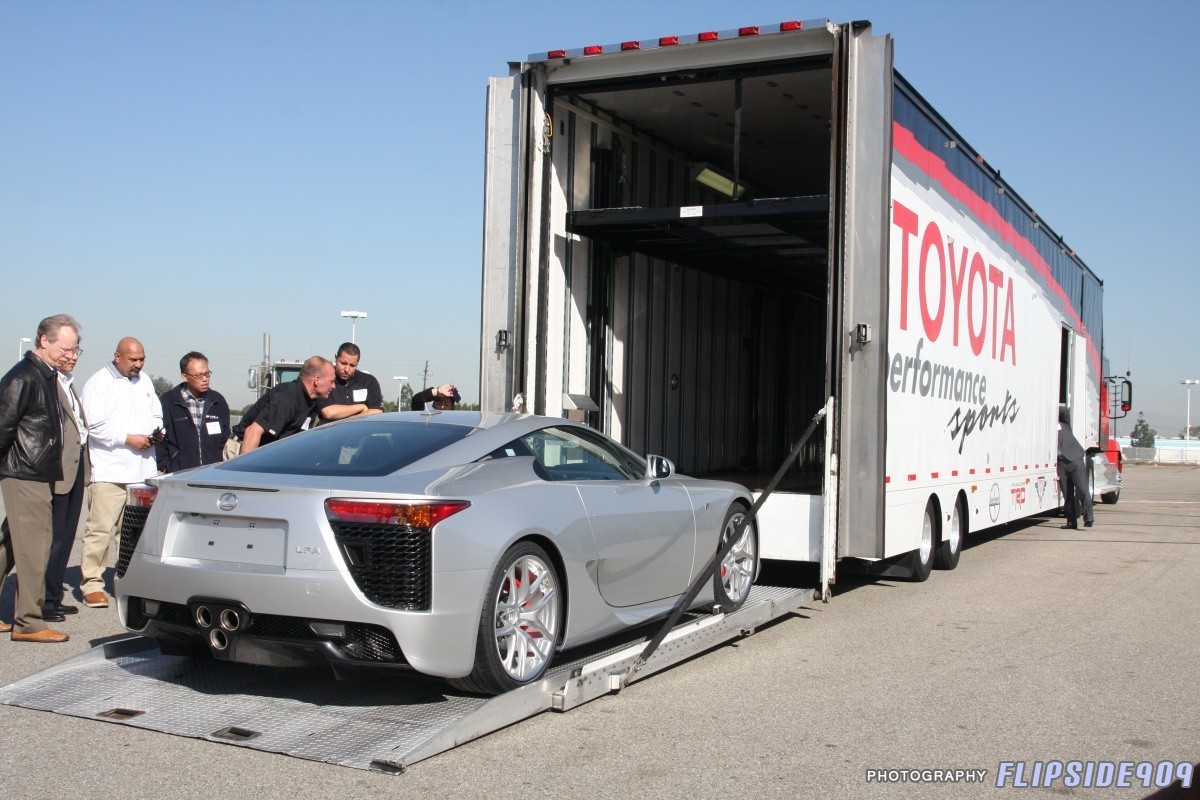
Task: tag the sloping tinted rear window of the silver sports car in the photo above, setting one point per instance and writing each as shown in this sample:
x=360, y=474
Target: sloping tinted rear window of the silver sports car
x=364, y=449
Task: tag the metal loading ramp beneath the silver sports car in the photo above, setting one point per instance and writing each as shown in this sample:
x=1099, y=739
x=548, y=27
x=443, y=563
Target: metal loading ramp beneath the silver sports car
x=382, y=725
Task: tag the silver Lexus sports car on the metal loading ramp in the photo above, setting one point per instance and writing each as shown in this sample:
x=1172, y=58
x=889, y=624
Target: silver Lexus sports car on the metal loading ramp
x=461, y=545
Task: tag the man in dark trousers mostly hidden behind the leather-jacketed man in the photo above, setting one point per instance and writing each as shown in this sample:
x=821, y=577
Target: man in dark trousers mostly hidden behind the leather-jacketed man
x=68, y=501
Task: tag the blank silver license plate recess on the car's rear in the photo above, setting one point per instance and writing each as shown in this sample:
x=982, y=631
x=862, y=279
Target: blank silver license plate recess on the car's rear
x=237, y=540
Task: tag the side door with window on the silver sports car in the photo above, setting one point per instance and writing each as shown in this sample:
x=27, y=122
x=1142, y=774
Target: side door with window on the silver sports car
x=645, y=531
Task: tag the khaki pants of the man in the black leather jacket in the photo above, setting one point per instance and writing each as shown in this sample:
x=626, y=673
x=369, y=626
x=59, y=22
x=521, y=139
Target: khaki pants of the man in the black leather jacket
x=26, y=540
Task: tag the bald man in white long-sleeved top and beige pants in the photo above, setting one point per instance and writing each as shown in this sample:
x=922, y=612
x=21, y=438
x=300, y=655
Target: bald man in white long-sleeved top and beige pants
x=124, y=418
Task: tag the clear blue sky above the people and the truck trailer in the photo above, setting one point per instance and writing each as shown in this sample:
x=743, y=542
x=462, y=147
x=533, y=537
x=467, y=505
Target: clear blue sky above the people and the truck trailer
x=197, y=175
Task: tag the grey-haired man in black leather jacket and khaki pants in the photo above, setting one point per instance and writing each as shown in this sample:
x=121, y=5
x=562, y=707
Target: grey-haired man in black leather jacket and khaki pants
x=31, y=461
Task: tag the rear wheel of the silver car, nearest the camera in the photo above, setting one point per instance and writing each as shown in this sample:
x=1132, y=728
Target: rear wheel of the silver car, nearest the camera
x=520, y=625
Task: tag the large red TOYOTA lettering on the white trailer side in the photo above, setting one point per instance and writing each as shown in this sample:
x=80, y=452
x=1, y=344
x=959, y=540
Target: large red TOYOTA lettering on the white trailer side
x=957, y=290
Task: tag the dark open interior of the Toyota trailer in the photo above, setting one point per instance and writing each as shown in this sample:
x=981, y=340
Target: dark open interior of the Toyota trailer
x=697, y=299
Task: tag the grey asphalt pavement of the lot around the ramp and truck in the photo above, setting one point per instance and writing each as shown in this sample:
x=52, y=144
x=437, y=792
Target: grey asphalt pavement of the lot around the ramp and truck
x=1043, y=646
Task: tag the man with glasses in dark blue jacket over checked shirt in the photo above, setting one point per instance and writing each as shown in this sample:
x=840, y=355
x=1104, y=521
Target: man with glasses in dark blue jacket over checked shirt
x=195, y=419
